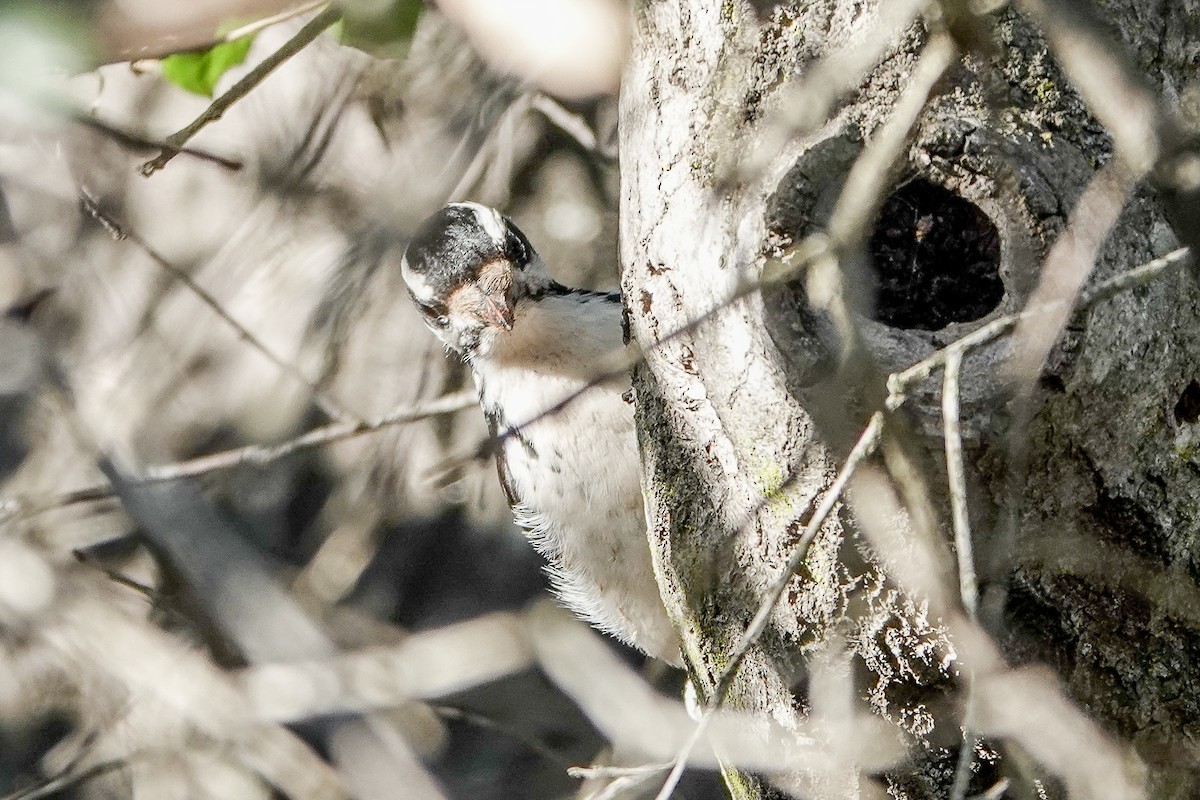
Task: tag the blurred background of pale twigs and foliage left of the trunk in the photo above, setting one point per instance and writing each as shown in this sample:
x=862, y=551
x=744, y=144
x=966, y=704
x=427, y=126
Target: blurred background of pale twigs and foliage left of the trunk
x=241, y=296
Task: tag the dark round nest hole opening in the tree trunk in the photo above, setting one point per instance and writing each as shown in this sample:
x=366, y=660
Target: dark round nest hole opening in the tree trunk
x=937, y=260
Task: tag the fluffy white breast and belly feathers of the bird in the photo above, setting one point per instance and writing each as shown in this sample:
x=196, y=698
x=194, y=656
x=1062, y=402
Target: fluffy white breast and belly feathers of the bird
x=574, y=477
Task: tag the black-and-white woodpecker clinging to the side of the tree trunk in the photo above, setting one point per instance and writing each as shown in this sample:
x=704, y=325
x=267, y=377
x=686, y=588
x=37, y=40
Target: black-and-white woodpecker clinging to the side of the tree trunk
x=573, y=476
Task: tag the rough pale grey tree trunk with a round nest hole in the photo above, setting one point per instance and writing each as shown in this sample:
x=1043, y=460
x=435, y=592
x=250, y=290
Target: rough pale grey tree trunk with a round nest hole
x=1083, y=482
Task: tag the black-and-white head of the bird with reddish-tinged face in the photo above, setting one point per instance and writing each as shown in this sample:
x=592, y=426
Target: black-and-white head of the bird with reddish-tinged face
x=467, y=269
